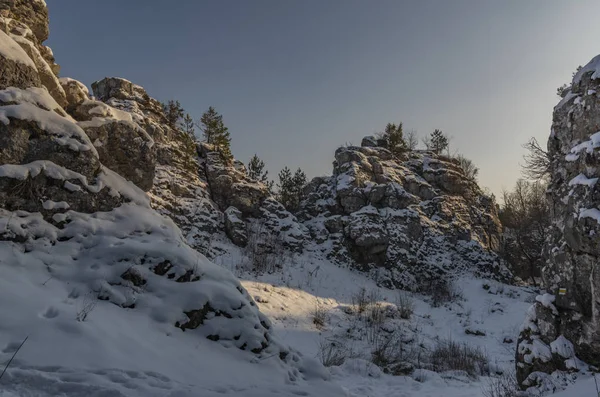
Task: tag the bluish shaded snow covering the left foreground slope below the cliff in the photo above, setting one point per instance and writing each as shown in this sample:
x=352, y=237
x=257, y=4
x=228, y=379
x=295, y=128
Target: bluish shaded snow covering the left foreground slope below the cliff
x=138, y=351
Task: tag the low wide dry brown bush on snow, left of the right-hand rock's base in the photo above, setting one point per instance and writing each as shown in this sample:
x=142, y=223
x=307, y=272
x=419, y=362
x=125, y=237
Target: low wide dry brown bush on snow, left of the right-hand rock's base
x=449, y=355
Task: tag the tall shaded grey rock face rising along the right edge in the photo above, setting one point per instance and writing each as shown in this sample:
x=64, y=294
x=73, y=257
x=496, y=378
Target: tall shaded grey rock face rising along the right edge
x=573, y=249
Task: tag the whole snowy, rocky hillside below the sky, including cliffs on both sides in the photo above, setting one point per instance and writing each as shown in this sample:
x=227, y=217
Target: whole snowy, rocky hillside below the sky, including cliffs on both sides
x=137, y=260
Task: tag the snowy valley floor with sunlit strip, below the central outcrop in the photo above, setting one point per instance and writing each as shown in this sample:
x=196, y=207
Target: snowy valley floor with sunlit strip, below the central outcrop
x=308, y=285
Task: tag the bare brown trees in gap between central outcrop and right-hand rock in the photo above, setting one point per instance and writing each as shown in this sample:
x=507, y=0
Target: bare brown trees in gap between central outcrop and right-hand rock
x=525, y=215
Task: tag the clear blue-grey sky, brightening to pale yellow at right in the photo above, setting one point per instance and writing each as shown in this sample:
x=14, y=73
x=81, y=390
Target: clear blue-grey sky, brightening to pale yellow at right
x=296, y=79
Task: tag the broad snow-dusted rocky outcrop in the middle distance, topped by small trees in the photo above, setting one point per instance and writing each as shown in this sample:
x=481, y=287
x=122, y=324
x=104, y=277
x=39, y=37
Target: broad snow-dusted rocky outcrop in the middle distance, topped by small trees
x=409, y=220
